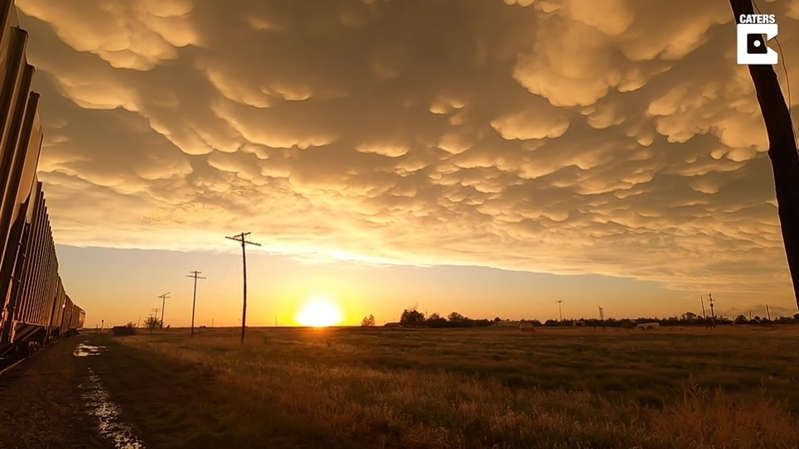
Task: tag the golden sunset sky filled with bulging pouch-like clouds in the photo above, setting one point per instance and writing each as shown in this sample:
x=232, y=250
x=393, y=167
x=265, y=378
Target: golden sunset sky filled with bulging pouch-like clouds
x=484, y=156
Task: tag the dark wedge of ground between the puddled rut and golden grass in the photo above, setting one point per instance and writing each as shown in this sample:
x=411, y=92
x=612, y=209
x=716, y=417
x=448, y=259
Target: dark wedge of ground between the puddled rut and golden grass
x=175, y=405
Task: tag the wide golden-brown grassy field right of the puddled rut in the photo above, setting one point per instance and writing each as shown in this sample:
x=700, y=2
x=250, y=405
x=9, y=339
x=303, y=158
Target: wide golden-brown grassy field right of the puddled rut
x=484, y=388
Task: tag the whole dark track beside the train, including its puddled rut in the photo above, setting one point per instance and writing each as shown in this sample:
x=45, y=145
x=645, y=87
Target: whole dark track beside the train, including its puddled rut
x=89, y=391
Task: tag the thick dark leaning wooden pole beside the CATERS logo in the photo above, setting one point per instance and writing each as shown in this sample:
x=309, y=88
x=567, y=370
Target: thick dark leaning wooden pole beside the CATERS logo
x=782, y=152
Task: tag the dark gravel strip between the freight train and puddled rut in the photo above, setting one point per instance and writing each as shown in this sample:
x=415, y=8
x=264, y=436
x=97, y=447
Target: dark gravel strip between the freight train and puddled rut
x=41, y=405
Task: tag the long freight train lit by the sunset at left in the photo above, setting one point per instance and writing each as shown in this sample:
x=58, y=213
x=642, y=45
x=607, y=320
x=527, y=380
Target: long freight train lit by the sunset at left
x=34, y=308
